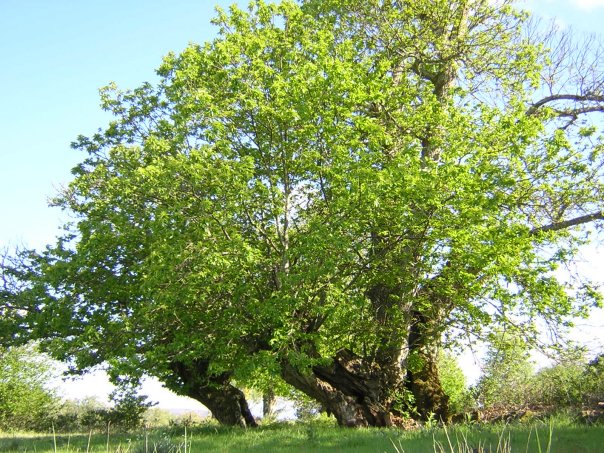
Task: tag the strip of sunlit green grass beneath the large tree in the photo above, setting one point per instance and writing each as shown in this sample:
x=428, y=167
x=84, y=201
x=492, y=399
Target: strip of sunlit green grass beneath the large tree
x=323, y=436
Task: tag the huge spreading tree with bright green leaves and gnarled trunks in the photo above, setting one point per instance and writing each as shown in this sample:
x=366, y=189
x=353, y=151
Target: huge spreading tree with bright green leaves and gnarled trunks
x=327, y=192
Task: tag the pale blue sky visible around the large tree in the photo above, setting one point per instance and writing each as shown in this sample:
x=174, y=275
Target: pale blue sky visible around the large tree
x=56, y=54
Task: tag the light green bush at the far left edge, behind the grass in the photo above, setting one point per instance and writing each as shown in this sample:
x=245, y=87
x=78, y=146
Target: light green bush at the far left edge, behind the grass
x=26, y=400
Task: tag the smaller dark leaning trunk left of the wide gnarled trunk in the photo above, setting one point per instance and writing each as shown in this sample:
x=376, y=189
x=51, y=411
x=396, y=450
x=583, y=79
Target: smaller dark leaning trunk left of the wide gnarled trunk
x=226, y=402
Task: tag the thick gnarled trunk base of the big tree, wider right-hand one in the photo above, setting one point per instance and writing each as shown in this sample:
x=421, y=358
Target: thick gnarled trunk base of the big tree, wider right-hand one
x=363, y=391
